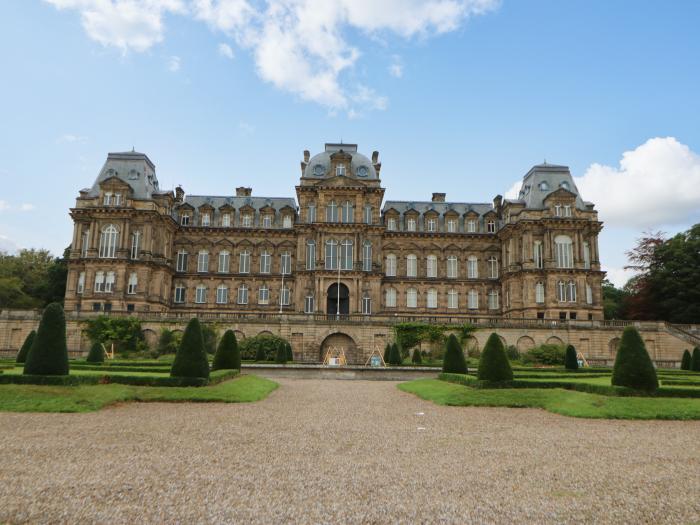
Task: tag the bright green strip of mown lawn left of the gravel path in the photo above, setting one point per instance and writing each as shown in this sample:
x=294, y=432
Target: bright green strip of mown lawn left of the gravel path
x=34, y=398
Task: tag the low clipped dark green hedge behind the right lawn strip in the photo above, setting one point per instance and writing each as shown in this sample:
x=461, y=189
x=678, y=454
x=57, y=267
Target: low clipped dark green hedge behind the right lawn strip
x=579, y=387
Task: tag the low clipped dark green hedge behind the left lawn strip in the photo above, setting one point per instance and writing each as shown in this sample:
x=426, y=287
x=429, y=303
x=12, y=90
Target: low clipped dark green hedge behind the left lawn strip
x=214, y=378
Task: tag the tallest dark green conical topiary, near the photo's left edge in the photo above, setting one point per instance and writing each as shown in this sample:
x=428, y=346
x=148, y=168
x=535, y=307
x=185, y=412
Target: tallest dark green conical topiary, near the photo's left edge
x=48, y=354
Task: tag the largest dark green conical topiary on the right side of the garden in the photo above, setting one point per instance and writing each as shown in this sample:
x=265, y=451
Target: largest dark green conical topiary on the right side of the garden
x=633, y=367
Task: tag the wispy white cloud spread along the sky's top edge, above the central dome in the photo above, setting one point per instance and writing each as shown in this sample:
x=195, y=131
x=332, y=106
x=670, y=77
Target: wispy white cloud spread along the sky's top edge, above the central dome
x=299, y=46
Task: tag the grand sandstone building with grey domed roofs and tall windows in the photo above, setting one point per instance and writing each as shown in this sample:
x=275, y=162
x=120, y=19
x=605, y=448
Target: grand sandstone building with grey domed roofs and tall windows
x=339, y=249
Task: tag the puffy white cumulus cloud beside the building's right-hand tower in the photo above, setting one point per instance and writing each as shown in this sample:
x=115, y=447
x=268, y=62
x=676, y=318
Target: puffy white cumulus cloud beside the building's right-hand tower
x=658, y=183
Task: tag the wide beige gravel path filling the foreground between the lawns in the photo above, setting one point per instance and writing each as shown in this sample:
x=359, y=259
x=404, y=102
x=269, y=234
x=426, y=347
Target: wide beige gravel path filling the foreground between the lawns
x=344, y=451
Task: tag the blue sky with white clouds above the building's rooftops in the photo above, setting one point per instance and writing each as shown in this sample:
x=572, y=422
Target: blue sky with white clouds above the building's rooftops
x=460, y=96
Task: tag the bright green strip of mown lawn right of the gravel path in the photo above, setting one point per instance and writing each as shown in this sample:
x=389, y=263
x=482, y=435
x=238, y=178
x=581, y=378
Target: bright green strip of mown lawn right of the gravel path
x=564, y=402
